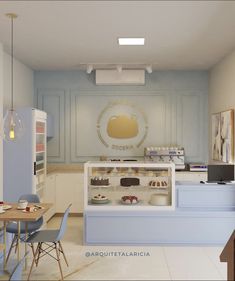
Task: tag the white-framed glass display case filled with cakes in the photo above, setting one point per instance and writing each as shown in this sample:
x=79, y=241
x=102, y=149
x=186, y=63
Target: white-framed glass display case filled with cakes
x=129, y=185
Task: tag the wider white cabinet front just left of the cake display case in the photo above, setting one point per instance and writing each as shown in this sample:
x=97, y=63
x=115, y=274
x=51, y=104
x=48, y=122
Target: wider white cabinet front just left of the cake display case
x=69, y=189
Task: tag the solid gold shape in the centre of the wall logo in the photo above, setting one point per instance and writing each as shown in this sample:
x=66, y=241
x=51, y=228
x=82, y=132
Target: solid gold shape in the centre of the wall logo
x=122, y=127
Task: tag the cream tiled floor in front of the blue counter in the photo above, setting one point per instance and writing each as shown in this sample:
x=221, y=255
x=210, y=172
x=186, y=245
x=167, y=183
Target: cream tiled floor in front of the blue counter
x=160, y=263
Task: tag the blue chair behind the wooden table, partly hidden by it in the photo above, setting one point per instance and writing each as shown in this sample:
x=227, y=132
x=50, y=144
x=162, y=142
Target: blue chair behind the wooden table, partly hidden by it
x=30, y=227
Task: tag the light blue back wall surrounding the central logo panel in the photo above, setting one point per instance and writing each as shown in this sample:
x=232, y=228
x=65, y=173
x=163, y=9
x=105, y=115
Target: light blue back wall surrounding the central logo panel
x=186, y=105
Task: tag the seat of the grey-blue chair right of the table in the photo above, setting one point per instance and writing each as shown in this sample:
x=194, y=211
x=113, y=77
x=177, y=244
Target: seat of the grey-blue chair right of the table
x=44, y=236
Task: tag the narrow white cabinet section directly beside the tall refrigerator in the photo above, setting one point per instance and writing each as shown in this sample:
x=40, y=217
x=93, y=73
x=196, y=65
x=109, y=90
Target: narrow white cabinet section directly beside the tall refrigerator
x=50, y=196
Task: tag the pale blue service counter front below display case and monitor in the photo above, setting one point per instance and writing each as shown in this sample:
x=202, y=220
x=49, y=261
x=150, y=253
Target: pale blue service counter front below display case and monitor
x=204, y=214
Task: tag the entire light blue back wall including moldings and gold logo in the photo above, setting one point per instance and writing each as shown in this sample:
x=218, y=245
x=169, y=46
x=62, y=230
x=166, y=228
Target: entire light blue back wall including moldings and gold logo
x=170, y=109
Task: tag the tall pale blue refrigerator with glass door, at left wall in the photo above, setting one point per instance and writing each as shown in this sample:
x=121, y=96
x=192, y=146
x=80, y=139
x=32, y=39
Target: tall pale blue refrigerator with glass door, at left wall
x=24, y=160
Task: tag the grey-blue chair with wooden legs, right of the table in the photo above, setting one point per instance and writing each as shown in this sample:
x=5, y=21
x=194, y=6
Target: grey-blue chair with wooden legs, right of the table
x=51, y=240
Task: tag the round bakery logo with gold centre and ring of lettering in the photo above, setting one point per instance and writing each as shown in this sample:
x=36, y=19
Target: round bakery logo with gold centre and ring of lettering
x=122, y=126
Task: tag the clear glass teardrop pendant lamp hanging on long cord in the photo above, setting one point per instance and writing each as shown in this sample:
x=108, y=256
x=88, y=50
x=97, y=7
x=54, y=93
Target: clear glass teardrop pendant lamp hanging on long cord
x=12, y=124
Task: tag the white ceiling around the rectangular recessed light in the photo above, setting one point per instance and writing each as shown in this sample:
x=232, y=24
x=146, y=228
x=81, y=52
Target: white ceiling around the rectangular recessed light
x=56, y=35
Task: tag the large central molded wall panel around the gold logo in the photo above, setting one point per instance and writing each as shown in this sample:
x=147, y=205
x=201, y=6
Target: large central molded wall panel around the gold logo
x=91, y=114
